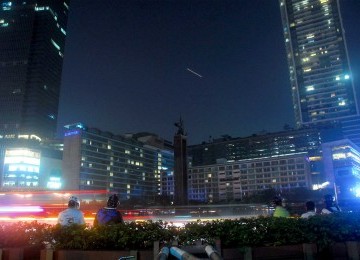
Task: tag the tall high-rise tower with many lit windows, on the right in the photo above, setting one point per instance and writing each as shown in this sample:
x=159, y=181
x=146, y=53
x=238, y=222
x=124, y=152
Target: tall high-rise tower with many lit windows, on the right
x=320, y=76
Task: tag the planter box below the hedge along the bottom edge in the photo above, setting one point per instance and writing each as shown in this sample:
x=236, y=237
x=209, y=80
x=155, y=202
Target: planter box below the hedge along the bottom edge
x=344, y=250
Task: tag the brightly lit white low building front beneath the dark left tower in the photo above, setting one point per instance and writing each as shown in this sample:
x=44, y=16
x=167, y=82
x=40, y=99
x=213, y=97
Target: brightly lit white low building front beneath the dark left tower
x=30, y=164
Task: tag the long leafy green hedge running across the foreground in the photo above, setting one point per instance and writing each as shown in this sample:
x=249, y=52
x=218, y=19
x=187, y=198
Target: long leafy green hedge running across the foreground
x=261, y=231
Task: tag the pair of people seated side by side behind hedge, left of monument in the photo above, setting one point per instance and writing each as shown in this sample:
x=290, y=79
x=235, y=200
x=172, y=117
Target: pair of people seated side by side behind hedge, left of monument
x=105, y=216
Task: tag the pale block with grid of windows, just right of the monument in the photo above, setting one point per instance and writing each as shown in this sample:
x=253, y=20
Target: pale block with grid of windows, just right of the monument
x=234, y=180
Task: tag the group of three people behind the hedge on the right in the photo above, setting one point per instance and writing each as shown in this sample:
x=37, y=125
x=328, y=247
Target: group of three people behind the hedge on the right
x=310, y=210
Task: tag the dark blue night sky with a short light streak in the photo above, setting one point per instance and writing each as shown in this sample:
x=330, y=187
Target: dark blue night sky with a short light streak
x=125, y=66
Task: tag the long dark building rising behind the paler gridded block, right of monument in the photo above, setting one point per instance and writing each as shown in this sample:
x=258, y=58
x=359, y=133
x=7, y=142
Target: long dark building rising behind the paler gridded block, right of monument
x=265, y=145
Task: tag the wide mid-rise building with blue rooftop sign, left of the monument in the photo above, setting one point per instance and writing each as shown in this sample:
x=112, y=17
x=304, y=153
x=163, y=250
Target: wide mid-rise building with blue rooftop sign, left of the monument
x=98, y=160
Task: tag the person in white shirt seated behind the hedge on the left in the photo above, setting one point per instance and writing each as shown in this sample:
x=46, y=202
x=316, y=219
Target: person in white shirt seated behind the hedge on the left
x=72, y=215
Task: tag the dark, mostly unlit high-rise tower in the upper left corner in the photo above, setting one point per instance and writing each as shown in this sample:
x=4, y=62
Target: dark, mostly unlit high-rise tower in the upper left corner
x=32, y=45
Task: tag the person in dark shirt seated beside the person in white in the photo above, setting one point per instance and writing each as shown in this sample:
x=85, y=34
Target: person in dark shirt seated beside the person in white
x=109, y=215
